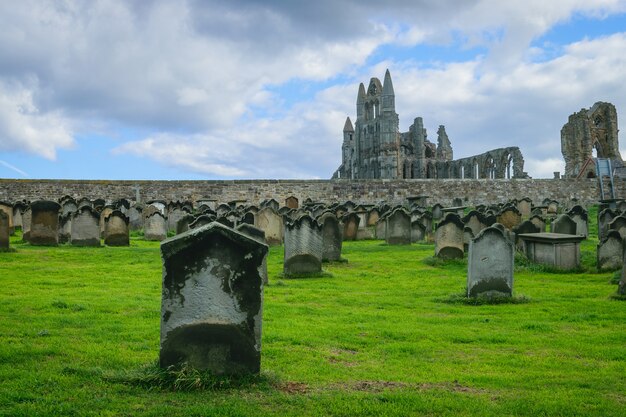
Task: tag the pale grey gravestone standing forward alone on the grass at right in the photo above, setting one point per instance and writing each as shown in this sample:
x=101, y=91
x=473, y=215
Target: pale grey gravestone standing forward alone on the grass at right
x=490, y=264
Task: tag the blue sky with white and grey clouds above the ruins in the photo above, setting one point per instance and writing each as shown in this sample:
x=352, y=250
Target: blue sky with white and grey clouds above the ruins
x=202, y=89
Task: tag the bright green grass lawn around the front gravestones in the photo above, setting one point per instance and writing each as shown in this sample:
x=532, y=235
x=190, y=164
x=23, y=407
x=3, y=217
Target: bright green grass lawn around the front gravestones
x=383, y=334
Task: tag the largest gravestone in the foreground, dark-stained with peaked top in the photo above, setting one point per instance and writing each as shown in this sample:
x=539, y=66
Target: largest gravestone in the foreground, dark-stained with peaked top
x=212, y=299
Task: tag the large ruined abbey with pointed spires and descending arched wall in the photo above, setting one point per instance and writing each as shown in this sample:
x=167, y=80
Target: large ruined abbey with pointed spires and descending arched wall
x=374, y=148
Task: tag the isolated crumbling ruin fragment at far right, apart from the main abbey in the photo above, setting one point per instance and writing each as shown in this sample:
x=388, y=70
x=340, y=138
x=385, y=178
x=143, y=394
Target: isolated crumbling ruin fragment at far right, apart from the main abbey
x=589, y=134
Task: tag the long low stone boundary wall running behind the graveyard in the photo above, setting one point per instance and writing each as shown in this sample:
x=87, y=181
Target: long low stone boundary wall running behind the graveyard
x=443, y=191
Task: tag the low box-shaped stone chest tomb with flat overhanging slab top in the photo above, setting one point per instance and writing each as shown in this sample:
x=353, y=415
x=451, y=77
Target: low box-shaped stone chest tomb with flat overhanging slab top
x=555, y=249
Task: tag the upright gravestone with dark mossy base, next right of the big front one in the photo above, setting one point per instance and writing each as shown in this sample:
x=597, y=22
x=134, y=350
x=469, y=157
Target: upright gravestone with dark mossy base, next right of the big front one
x=303, y=247
